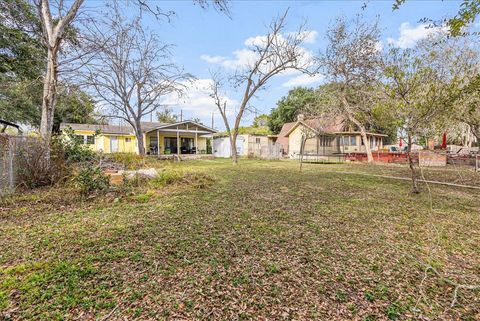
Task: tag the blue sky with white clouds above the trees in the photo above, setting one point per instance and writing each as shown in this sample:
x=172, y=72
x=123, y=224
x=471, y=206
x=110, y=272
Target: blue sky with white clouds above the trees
x=207, y=40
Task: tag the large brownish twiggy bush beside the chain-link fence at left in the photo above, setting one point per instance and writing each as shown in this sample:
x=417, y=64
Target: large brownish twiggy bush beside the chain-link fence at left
x=36, y=169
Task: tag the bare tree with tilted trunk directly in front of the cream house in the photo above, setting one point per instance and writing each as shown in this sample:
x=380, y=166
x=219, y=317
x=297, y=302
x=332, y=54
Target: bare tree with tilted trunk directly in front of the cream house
x=352, y=61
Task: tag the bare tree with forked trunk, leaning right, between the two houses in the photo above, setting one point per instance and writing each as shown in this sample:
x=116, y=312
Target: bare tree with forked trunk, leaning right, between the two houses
x=271, y=55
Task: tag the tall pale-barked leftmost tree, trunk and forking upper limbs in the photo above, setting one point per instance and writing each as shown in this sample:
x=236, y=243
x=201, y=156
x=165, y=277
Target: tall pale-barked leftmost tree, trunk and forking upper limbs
x=53, y=30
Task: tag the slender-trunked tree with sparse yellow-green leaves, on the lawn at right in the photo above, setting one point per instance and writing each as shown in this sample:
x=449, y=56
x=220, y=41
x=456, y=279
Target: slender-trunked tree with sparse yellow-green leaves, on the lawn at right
x=422, y=86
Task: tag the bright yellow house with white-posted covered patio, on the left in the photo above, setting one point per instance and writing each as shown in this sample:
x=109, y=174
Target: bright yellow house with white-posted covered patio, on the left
x=185, y=137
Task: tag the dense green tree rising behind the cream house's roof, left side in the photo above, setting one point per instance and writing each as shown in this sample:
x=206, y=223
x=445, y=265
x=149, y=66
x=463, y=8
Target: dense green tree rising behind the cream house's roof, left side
x=289, y=106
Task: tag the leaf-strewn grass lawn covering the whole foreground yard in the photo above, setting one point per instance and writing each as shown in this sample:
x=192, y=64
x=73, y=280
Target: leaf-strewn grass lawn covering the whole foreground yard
x=263, y=242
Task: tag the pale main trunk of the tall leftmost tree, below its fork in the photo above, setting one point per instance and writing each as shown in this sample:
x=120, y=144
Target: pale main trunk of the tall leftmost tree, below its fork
x=49, y=96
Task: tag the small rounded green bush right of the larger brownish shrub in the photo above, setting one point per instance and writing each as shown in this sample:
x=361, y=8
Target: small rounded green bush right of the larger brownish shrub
x=91, y=180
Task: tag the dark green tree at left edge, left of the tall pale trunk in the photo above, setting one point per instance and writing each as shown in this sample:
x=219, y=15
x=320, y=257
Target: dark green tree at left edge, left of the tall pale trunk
x=21, y=62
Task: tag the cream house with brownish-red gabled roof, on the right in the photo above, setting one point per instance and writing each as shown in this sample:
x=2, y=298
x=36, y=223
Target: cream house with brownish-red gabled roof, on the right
x=325, y=137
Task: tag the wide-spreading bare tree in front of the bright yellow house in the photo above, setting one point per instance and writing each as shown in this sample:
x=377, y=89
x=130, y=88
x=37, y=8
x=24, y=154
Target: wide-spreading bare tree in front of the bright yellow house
x=132, y=71
